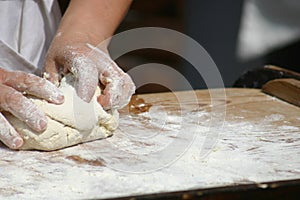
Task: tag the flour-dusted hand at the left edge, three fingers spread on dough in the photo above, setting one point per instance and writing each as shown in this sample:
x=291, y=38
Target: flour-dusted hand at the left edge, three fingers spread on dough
x=12, y=100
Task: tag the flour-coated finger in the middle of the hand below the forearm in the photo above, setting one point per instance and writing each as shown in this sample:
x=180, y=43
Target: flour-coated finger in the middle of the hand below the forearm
x=86, y=75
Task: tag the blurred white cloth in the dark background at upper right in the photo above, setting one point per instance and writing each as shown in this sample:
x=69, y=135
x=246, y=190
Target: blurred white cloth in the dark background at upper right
x=267, y=25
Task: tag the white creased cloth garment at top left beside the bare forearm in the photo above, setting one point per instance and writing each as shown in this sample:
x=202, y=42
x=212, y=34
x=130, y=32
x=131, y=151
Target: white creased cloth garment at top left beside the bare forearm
x=26, y=30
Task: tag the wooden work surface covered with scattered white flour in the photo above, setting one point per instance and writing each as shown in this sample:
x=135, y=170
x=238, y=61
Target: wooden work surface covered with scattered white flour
x=167, y=143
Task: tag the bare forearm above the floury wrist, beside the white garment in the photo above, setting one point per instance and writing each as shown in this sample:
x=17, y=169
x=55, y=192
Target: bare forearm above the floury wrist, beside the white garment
x=95, y=19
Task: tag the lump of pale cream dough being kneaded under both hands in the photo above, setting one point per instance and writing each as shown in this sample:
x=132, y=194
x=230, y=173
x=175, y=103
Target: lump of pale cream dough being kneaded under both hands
x=73, y=122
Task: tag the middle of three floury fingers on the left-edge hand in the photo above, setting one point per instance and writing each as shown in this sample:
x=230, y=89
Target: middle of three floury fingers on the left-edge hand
x=22, y=108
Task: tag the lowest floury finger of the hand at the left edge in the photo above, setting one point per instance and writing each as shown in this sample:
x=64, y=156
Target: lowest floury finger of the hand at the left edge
x=8, y=134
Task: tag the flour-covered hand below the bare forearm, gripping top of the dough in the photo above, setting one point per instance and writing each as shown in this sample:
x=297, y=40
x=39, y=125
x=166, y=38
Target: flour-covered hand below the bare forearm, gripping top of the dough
x=90, y=67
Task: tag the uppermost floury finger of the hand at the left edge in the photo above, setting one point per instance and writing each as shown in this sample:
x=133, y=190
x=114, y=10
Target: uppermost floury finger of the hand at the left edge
x=34, y=85
